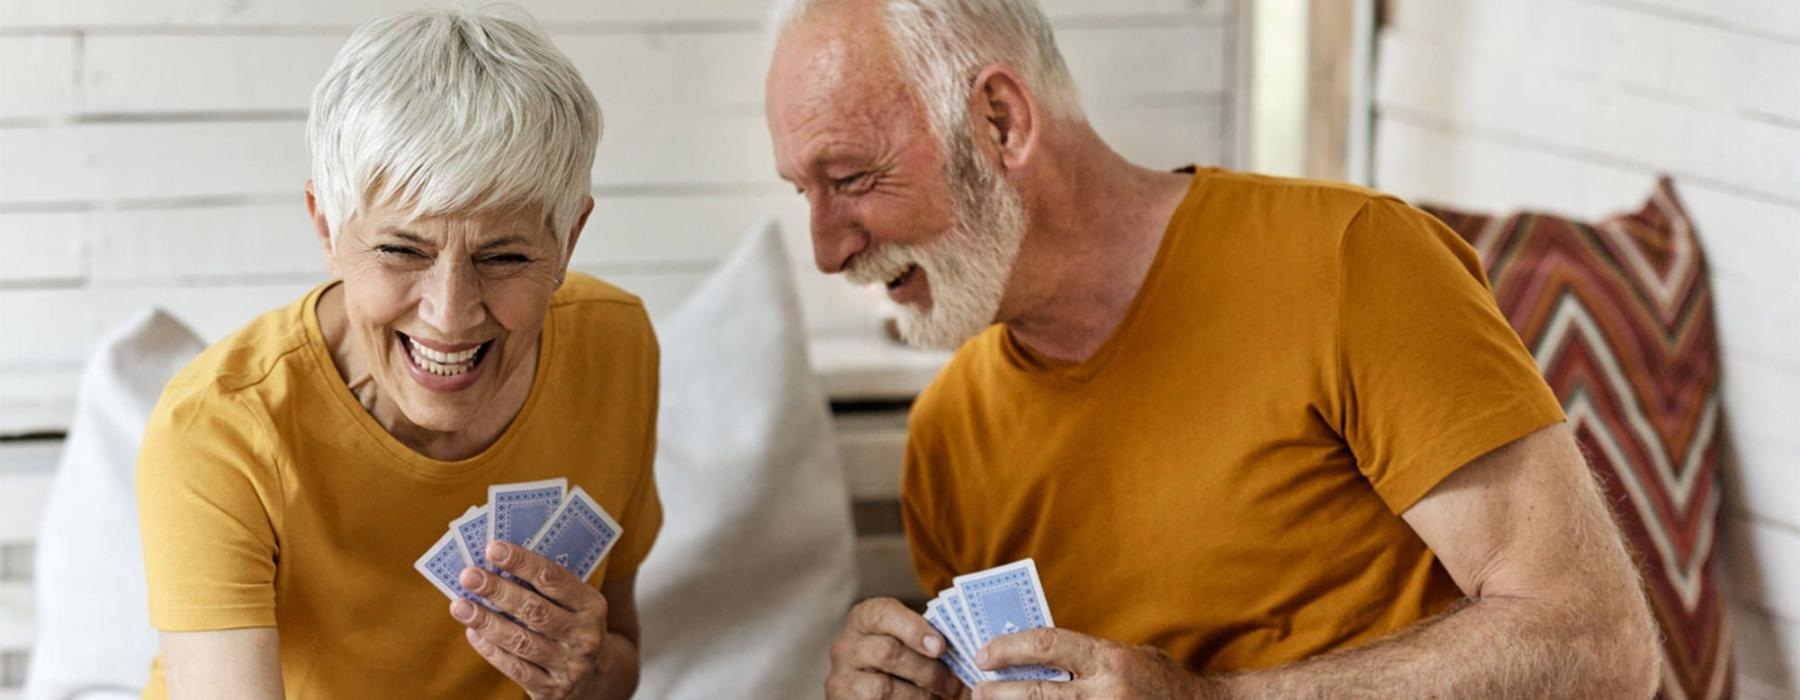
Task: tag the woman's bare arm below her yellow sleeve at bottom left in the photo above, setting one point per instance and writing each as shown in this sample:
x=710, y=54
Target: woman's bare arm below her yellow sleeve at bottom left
x=222, y=665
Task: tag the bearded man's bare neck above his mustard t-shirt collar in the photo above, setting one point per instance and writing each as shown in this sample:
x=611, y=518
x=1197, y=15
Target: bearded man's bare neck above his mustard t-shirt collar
x=1095, y=235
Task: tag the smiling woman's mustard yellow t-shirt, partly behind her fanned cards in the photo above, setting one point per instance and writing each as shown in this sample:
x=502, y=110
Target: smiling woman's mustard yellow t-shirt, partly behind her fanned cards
x=269, y=498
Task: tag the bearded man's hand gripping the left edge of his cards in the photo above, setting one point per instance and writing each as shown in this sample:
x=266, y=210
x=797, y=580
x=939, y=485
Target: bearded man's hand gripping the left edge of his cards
x=888, y=652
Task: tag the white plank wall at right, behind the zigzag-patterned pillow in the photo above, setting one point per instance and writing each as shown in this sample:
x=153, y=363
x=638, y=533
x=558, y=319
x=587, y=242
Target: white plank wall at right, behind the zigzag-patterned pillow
x=1576, y=107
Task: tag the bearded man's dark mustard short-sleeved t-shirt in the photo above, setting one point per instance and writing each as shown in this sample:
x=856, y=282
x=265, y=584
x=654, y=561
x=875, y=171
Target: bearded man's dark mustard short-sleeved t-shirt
x=1223, y=480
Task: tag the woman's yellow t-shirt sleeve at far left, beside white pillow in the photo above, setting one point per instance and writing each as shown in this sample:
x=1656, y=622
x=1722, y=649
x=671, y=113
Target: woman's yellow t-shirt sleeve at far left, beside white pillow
x=210, y=507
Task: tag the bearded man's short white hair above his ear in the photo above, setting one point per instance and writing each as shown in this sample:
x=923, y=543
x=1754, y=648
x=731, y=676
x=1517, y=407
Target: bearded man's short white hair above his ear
x=946, y=44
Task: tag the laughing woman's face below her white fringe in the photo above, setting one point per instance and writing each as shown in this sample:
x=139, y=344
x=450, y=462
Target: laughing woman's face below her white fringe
x=445, y=310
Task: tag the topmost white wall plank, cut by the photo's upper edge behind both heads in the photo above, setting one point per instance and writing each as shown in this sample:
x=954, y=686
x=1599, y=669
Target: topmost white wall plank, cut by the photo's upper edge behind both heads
x=346, y=13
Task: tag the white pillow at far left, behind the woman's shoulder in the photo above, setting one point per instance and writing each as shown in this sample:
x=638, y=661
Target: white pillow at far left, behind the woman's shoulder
x=94, y=631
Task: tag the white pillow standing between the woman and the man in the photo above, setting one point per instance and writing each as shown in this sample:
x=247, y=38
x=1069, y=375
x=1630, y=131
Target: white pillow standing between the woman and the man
x=755, y=568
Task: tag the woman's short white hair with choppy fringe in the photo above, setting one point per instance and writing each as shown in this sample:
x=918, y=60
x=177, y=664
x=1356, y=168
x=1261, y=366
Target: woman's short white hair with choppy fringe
x=453, y=112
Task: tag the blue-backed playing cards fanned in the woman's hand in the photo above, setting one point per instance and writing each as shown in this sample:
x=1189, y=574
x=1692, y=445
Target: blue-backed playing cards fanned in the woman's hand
x=546, y=517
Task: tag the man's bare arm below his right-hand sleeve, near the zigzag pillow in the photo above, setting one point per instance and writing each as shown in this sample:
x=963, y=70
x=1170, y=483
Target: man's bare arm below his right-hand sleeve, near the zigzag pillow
x=1554, y=611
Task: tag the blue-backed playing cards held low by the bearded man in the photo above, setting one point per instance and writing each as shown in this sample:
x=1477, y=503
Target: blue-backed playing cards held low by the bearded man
x=985, y=606
